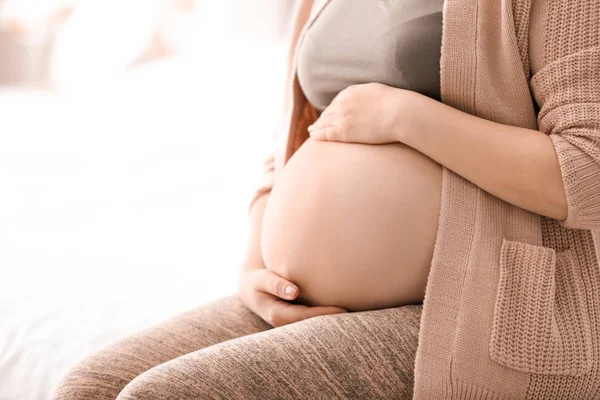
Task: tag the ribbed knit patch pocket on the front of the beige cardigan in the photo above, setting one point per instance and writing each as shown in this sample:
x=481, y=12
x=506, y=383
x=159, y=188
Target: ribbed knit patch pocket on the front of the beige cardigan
x=541, y=322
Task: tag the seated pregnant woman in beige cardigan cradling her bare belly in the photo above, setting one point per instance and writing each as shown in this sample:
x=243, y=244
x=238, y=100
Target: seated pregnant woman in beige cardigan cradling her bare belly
x=428, y=225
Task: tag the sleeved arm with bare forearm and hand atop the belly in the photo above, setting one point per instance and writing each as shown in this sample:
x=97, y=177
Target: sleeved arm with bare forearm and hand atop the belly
x=554, y=172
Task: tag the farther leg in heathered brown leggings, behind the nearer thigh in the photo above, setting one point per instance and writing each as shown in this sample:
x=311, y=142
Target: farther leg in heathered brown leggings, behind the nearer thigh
x=104, y=374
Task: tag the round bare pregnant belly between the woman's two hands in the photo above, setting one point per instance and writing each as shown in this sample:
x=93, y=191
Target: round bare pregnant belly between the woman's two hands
x=354, y=225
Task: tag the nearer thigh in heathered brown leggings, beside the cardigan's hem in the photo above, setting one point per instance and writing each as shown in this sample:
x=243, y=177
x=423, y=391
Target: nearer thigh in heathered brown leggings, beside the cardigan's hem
x=360, y=355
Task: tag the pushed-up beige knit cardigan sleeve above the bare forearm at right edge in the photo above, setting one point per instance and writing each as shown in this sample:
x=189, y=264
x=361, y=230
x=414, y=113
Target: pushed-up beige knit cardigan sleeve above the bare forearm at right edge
x=567, y=90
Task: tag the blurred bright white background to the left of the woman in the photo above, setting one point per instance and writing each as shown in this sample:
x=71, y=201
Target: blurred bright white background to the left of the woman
x=132, y=135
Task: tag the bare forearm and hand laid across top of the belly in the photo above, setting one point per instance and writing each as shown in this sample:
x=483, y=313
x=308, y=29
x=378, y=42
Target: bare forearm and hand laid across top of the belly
x=515, y=164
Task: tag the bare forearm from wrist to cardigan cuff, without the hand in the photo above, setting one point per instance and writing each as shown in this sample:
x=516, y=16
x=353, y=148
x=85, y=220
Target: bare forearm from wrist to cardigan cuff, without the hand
x=517, y=165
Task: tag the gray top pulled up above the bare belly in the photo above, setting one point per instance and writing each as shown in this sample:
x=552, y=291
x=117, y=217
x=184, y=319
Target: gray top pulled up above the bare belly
x=395, y=42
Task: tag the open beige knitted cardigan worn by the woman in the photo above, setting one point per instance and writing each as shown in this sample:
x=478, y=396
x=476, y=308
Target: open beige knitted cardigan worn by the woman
x=512, y=303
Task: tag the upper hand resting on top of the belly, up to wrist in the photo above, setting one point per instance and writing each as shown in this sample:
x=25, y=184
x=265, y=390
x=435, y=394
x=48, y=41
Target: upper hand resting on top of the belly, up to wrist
x=370, y=113
